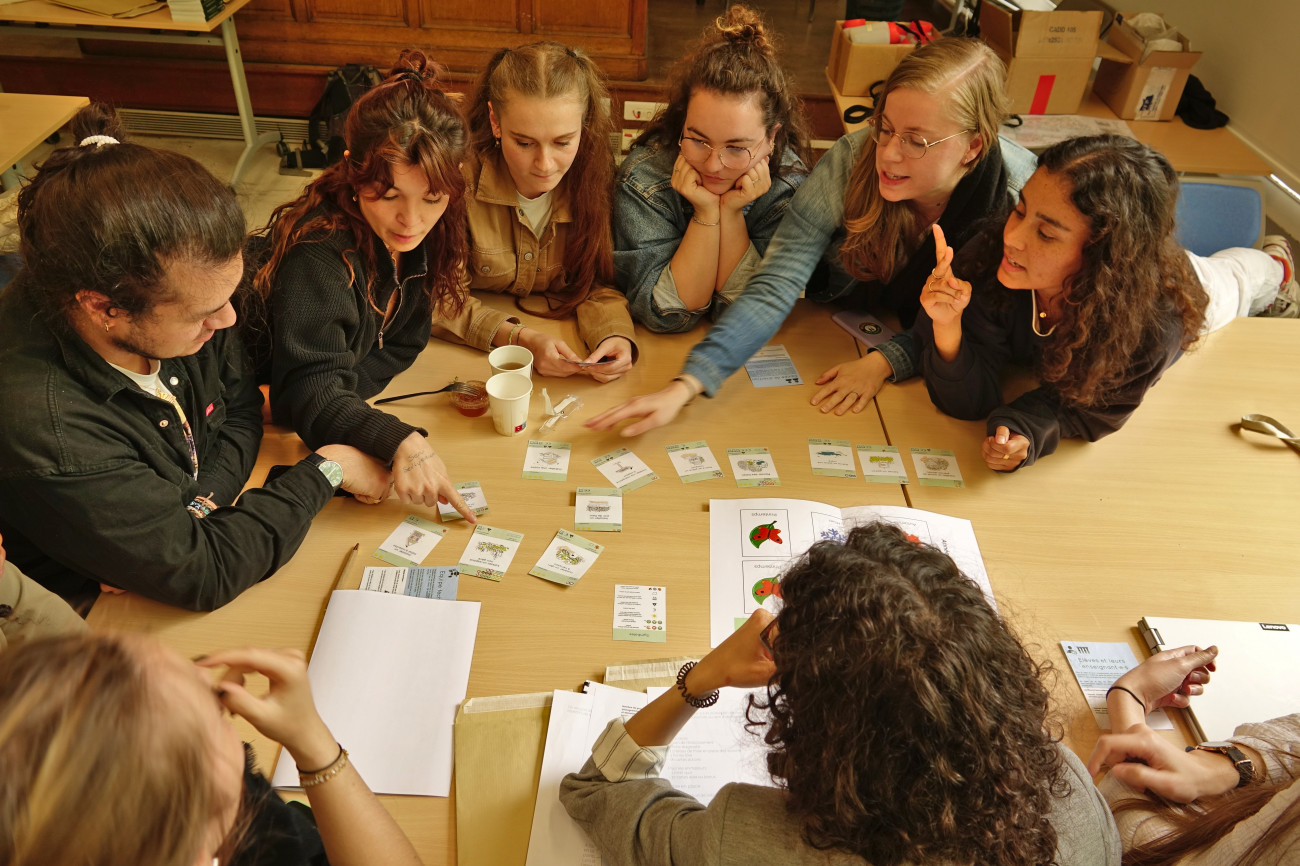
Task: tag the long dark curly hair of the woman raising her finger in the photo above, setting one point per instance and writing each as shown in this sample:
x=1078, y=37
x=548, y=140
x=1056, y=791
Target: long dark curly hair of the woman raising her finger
x=1136, y=276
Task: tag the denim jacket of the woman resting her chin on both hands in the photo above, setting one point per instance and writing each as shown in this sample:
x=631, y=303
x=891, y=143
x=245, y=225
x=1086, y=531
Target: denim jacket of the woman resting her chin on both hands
x=651, y=219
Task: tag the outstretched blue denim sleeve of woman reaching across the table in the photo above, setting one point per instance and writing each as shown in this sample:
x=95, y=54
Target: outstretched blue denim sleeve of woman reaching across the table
x=816, y=213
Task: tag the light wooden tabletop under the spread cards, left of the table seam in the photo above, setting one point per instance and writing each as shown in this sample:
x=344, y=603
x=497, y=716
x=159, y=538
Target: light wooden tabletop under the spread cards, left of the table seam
x=535, y=635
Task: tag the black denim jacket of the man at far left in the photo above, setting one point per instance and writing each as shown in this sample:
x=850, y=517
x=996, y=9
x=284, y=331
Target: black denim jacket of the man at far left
x=96, y=475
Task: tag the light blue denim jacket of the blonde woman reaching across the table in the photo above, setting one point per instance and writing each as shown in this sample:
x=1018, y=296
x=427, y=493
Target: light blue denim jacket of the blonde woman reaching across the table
x=812, y=232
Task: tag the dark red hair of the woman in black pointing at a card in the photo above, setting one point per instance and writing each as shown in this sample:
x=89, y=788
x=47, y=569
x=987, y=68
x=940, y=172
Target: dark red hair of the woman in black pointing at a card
x=406, y=120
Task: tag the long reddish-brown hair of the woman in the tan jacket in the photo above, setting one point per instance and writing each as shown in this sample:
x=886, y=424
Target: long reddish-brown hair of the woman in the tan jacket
x=552, y=71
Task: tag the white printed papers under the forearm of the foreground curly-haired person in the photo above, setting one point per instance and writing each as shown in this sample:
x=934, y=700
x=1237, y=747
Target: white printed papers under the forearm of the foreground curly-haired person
x=713, y=750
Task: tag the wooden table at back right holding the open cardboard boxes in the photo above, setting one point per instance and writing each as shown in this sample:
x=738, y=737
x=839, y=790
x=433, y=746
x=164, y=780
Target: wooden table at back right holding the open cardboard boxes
x=1215, y=151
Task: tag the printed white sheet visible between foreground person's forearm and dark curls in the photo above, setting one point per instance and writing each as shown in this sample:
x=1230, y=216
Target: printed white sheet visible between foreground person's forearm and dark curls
x=714, y=748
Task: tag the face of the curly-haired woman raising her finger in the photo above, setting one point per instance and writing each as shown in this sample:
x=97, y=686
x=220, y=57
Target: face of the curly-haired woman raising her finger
x=1045, y=237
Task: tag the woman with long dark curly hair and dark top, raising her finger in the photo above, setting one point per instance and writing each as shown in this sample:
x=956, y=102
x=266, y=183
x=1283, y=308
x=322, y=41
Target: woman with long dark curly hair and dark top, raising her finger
x=1085, y=283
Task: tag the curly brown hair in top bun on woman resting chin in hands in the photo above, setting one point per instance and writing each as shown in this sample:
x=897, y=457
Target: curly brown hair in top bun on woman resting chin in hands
x=736, y=57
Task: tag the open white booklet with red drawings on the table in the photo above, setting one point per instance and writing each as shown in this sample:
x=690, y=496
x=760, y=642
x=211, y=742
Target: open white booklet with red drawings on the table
x=753, y=542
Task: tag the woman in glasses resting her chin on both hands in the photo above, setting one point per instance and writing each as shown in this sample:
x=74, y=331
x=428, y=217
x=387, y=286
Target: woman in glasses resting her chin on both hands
x=705, y=187
